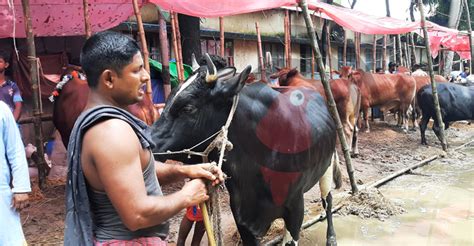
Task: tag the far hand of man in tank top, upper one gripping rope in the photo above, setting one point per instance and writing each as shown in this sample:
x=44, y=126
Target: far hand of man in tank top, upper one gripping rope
x=208, y=171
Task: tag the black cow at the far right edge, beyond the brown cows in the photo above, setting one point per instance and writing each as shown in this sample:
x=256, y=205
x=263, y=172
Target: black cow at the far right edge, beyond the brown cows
x=456, y=102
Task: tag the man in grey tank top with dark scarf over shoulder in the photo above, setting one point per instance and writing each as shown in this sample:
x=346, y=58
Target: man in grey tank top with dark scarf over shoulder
x=113, y=194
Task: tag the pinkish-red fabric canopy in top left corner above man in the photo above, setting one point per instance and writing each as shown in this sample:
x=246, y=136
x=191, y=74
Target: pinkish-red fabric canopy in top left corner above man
x=62, y=17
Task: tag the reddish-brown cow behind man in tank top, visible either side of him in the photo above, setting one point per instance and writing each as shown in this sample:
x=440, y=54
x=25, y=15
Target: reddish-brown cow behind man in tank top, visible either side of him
x=72, y=98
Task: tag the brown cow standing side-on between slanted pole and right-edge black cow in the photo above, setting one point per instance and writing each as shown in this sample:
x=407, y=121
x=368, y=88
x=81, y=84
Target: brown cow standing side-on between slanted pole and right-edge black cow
x=390, y=91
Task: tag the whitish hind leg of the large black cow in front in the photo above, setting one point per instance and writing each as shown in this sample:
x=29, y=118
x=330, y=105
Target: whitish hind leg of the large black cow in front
x=325, y=187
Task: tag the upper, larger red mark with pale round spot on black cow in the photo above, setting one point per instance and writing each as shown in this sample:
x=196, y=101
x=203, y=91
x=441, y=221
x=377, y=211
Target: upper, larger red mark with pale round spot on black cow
x=285, y=128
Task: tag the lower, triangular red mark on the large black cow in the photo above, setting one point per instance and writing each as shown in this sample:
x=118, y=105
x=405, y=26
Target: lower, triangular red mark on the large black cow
x=279, y=183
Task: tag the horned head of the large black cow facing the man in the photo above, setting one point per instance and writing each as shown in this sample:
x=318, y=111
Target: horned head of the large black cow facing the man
x=197, y=109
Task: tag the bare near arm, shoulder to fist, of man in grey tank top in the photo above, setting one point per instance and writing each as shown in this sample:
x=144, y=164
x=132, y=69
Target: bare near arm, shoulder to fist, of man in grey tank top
x=114, y=150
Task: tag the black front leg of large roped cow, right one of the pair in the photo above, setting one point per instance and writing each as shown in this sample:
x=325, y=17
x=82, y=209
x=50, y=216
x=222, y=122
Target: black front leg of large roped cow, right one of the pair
x=293, y=218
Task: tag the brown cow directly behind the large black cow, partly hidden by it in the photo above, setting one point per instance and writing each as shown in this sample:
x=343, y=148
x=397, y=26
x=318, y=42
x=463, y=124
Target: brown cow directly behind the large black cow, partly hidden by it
x=346, y=95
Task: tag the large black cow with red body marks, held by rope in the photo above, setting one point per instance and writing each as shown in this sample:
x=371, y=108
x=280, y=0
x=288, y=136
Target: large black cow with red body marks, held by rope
x=283, y=143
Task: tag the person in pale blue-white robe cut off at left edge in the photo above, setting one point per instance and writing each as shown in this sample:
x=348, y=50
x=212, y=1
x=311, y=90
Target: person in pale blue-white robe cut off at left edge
x=14, y=179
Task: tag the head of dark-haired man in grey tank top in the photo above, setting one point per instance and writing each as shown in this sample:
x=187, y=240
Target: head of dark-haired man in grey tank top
x=114, y=67
